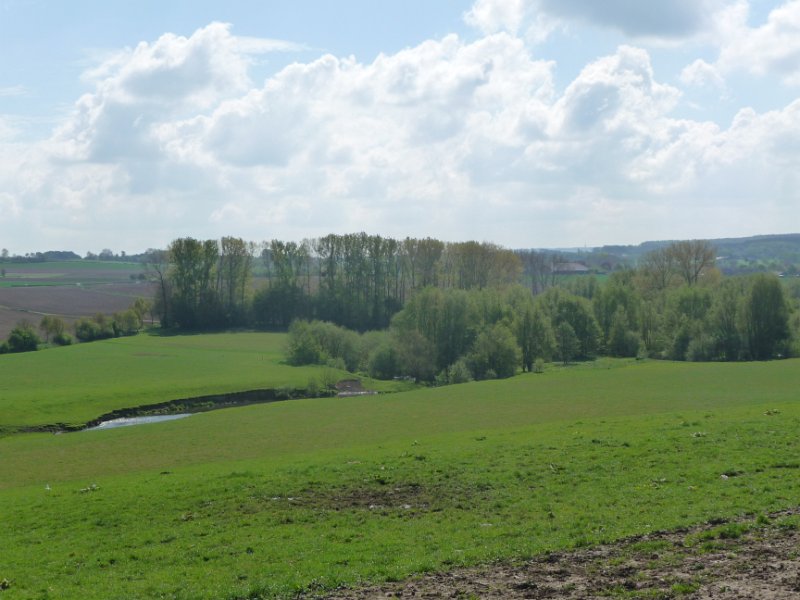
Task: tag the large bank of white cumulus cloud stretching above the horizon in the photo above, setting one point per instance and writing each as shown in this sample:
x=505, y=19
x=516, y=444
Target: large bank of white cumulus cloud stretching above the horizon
x=449, y=138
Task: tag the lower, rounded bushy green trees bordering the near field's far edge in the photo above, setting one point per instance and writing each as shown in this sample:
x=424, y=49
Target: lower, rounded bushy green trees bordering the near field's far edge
x=451, y=335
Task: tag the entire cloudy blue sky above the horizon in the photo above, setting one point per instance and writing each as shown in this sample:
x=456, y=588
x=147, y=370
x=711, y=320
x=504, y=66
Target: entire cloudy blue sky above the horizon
x=527, y=123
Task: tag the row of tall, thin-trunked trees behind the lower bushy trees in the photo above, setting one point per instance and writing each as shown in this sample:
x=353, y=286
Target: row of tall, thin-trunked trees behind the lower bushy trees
x=356, y=280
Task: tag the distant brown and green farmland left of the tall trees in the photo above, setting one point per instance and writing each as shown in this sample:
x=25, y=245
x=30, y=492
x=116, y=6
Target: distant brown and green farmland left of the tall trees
x=70, y=290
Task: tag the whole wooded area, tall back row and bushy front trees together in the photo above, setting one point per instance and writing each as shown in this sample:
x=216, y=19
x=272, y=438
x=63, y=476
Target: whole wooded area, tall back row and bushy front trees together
x=472, y=310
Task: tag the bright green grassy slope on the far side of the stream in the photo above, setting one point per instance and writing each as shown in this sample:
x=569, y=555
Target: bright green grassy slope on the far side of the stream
x=78, y=383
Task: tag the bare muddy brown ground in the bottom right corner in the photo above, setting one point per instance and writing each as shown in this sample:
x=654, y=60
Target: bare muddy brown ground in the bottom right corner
x=755, y=559
